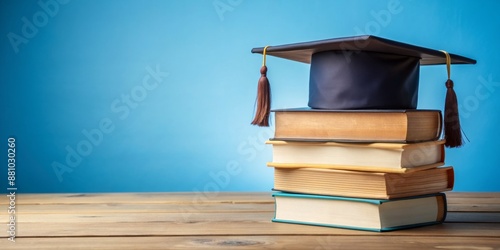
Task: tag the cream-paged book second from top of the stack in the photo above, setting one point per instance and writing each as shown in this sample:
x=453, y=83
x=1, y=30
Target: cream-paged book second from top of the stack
x=374, y=157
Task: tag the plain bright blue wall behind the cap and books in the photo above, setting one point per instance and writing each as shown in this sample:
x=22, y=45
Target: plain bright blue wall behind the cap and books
x=191, y=132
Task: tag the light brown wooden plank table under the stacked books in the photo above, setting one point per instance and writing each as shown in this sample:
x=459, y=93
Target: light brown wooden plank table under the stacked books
x=224, y=221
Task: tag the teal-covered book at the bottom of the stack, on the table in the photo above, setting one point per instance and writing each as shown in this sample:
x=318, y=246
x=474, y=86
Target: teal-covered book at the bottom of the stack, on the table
x=360, y=213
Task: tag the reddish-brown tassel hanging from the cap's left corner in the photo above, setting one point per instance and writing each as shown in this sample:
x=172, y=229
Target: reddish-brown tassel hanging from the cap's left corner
x=263, y=102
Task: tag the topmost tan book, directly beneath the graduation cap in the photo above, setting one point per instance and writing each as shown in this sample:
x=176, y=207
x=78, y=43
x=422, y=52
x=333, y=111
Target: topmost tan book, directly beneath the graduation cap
x=358, y=125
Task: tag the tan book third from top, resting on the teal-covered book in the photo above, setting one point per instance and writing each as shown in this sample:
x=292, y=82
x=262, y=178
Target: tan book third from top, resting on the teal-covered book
x=363, y=184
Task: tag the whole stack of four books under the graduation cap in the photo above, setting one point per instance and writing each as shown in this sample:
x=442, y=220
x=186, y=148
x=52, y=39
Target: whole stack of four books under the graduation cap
x=376, y=170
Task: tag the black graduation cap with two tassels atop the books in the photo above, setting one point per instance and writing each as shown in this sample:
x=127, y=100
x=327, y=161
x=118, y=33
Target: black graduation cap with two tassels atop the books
x=363, y=72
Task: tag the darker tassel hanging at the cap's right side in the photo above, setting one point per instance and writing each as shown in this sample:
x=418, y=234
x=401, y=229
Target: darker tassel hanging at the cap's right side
x=452, y=130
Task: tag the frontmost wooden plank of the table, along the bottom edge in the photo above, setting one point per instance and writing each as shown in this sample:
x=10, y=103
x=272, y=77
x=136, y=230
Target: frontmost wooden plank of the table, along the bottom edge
x=320, y=242
